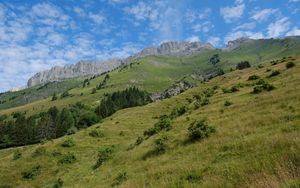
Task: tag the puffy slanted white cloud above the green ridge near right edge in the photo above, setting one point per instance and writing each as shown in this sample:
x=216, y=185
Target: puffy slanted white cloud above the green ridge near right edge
x=279, y=27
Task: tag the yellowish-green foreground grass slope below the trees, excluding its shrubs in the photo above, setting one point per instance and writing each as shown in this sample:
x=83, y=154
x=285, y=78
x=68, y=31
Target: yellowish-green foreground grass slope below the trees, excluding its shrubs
x=256, y=144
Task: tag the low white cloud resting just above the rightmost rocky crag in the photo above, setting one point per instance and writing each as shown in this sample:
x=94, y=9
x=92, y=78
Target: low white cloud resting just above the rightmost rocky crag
x=239, y=34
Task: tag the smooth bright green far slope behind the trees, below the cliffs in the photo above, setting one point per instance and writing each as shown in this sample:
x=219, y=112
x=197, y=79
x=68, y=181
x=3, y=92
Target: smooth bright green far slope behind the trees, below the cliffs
x=158, y=73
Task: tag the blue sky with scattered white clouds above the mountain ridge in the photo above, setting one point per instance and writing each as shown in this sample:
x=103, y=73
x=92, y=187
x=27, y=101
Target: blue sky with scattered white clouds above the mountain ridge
x=37, y=35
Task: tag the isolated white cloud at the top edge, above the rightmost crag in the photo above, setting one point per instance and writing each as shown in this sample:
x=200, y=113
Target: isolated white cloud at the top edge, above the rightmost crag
x=233, y=13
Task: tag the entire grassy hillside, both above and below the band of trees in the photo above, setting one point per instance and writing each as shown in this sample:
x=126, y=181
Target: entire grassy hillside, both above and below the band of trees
x=255, y=142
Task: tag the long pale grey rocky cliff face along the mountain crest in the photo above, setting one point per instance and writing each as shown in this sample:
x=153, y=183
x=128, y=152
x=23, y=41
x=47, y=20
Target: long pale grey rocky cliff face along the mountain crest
x=86, y=68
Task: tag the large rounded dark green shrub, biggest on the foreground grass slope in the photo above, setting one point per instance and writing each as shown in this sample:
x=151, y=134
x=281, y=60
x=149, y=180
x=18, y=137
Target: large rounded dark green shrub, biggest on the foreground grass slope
x=199, y=130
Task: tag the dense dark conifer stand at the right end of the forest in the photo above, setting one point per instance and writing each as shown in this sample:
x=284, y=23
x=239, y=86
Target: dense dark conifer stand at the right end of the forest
x=130, y=97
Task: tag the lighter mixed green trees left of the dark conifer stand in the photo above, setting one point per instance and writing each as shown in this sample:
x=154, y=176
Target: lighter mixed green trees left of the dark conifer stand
x=17, y=129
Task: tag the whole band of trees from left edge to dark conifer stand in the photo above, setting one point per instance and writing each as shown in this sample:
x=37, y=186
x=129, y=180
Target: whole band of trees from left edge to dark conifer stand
x=18, y=129
